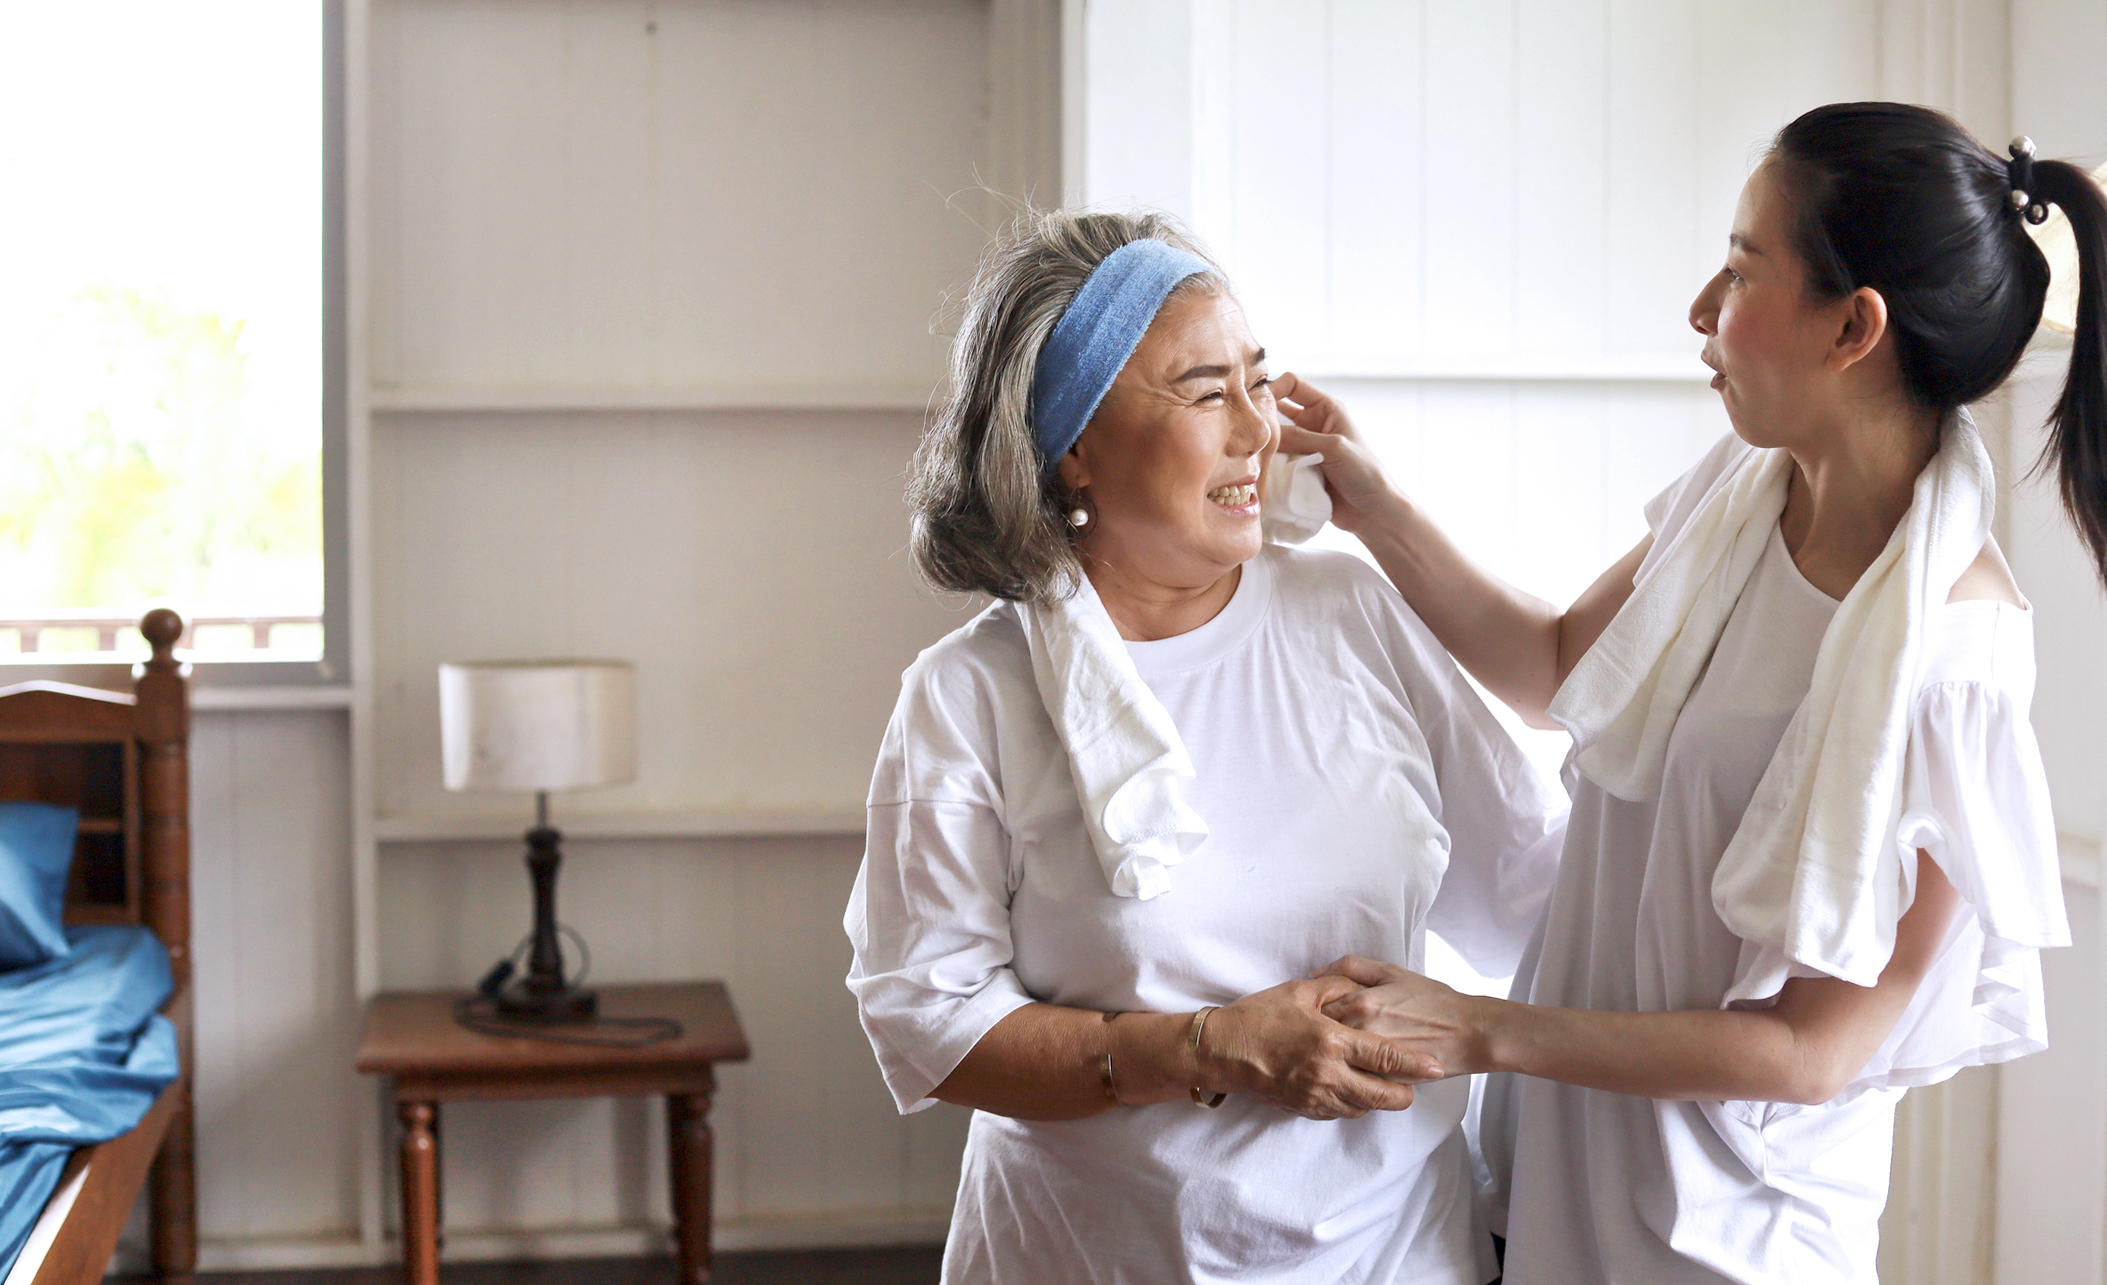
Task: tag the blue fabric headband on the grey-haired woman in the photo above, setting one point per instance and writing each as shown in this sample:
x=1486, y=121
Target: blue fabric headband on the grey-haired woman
x=1099, y=334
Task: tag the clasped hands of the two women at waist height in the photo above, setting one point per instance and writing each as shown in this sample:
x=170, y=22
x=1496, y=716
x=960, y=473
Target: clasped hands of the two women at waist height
x=1354, y=1037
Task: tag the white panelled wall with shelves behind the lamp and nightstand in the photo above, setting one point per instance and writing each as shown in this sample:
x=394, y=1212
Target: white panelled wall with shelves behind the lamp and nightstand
x=648, y=300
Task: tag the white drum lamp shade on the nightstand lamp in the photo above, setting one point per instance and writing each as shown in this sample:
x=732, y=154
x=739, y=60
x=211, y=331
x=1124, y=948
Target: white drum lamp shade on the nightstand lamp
x=538, y=726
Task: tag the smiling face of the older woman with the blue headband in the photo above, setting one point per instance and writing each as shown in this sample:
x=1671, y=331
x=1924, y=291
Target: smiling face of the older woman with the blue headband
x=1173, y=458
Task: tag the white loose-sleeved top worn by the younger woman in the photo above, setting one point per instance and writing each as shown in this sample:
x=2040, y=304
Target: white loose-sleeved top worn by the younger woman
x=1628, y=1189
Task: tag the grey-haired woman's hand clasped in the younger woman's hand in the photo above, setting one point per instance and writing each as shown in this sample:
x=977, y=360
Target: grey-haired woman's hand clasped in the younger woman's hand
x=1278, y=1046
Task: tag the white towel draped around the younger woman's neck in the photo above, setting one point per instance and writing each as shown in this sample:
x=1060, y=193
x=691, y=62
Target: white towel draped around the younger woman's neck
x=1813, y=877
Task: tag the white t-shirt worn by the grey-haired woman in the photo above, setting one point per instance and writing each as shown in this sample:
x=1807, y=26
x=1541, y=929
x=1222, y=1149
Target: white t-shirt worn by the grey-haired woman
x=1358, y=793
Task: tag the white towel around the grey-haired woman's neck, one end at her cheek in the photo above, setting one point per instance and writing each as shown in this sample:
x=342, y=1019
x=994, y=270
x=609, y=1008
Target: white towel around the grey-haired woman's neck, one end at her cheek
x=1130, y=768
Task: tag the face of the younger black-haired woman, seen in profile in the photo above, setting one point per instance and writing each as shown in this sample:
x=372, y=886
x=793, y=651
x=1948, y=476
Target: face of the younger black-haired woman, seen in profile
x=1775, y=349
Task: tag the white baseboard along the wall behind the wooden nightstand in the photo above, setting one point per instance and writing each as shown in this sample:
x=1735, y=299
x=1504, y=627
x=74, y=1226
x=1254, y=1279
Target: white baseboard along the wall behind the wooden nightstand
x=821, y=1231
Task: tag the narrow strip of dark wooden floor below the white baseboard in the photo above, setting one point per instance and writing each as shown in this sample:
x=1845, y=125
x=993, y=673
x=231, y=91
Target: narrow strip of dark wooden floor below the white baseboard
x=915, y=1265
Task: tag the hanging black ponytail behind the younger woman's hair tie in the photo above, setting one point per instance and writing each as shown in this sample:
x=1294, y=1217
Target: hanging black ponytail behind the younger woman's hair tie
x=2079, y=424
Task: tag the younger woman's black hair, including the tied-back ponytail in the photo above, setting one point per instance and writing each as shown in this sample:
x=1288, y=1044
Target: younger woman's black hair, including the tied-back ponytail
x=1912, y=205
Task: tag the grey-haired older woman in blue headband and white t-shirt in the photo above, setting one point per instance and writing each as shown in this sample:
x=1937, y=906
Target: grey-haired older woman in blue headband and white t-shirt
x=1126, y=812
